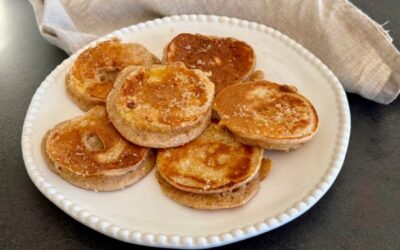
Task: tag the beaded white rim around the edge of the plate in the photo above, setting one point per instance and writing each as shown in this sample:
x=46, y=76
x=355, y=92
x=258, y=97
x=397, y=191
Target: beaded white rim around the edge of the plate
x=195, y=242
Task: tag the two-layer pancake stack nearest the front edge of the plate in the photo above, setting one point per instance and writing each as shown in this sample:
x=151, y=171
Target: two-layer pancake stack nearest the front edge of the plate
x=211, y=172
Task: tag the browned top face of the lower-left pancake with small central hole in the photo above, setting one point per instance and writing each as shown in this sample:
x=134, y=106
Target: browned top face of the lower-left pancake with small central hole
x=90, y=145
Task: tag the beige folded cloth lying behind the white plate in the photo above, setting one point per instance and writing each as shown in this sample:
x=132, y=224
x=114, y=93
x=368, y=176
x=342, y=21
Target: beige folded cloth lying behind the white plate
x=357, y=49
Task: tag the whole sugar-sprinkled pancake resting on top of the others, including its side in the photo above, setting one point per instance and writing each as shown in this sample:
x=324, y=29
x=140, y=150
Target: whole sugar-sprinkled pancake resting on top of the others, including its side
x=161, y=105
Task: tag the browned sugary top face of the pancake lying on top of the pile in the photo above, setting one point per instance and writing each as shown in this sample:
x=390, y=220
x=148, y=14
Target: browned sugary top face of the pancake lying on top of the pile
x=164, y=95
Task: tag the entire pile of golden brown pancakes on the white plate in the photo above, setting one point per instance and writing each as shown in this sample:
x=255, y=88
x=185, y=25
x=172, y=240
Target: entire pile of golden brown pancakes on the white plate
x=136, y=104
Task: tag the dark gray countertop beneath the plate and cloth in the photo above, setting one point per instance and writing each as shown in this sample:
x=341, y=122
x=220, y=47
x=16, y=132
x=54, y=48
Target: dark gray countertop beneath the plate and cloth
x=360, y=211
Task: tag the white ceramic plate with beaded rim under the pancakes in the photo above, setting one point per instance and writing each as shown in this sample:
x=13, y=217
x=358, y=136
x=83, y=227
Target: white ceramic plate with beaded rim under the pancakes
x=141, y=214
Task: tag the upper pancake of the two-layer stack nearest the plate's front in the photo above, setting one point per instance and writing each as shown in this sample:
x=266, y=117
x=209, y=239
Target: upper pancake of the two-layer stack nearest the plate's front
x=212, y=163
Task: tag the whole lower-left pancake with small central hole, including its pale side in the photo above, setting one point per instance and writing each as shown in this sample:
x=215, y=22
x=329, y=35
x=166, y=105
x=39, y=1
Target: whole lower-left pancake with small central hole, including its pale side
x=88, y=152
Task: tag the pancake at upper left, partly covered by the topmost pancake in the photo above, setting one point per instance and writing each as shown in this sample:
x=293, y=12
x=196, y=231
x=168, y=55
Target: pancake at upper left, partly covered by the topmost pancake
x=92, y=76
